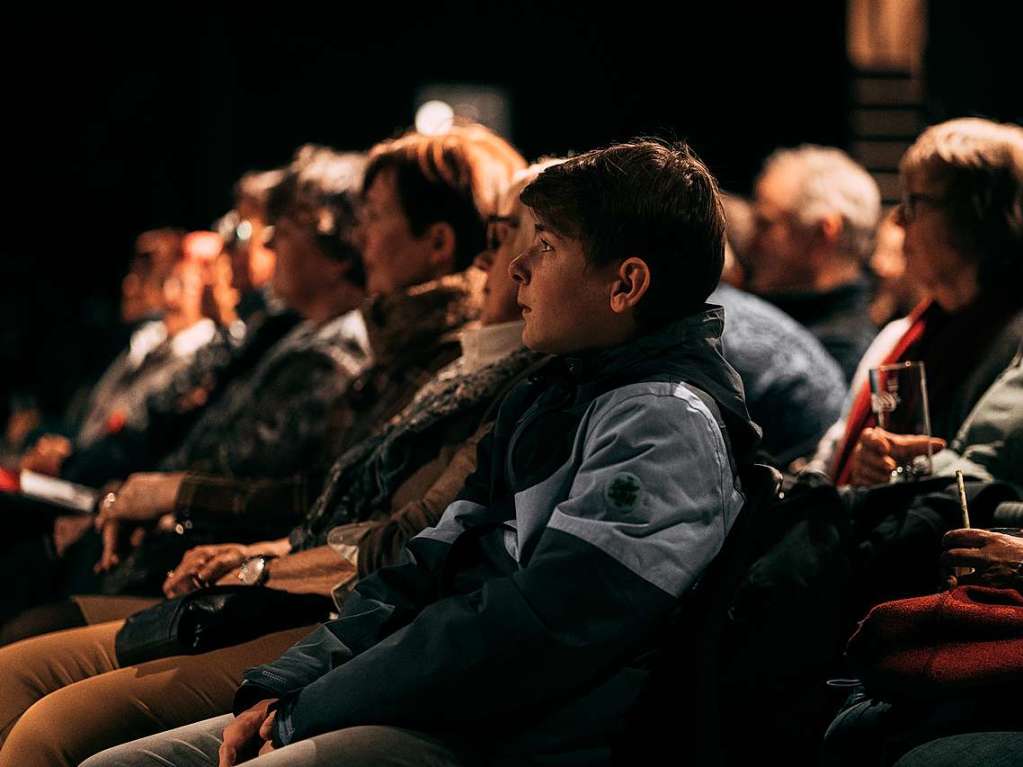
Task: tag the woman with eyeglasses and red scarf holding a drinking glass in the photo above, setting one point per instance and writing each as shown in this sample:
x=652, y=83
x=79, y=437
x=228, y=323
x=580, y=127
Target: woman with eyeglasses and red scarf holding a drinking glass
x=962, y=213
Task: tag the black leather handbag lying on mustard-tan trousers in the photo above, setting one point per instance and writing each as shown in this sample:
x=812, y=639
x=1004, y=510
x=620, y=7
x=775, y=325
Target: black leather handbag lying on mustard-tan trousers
x=214, y=618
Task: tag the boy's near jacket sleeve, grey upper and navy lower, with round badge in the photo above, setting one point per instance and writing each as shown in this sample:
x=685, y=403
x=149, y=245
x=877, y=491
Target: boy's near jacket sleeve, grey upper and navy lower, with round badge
x=647, y=511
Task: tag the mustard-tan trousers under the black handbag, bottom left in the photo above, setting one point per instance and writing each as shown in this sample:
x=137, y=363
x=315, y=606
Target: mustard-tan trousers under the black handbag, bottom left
x=64, y=698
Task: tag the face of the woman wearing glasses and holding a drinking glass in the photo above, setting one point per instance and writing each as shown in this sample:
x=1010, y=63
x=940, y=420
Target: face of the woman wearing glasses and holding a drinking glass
x=932, y=259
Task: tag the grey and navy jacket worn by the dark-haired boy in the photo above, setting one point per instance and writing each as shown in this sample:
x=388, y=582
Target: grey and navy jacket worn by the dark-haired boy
x=606, y=488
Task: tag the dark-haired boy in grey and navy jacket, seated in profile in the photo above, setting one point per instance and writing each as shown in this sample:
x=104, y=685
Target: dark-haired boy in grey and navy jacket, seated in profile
x=514, y=630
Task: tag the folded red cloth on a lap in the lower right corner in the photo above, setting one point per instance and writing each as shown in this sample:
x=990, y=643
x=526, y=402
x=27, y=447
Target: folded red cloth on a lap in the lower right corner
x=962, y=642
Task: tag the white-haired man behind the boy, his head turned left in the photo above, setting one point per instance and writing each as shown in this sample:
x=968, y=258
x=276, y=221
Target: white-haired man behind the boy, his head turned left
x=816, y=213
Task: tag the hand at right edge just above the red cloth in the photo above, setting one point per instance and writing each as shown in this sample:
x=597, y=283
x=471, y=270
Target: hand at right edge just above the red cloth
x=996, y=558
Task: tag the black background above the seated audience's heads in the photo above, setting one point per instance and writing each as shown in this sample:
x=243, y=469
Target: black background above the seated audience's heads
x=123, y=123
